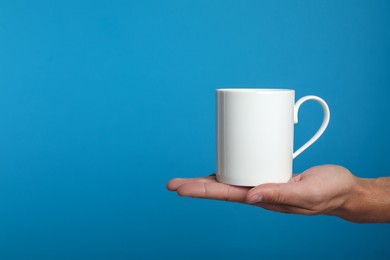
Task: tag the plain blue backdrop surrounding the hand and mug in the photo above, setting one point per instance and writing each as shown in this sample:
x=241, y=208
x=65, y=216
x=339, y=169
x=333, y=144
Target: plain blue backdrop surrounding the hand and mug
x=102, y=102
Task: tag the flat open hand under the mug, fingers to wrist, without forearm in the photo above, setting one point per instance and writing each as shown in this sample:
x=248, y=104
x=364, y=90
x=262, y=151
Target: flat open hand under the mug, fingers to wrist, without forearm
x=318, y=190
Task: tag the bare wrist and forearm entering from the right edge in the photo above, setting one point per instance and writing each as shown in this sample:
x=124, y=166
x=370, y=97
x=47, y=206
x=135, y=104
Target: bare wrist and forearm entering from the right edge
x=368, y=202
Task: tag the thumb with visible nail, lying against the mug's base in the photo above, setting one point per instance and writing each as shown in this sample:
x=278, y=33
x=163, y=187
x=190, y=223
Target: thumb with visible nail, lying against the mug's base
x=275, y=193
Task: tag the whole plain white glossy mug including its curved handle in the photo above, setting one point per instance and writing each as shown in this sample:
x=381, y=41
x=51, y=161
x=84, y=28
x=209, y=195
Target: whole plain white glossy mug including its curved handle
x=255, y=135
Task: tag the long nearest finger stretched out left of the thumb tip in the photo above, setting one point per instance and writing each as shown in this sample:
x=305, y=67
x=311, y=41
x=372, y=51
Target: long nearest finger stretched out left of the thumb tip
x=213, y=190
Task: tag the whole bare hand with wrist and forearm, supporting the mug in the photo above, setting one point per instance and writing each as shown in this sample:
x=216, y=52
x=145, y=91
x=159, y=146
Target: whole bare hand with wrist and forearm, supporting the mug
x=329, y=189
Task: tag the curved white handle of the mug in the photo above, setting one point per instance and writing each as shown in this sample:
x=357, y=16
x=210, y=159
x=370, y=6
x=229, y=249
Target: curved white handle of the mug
x=323, y=126
